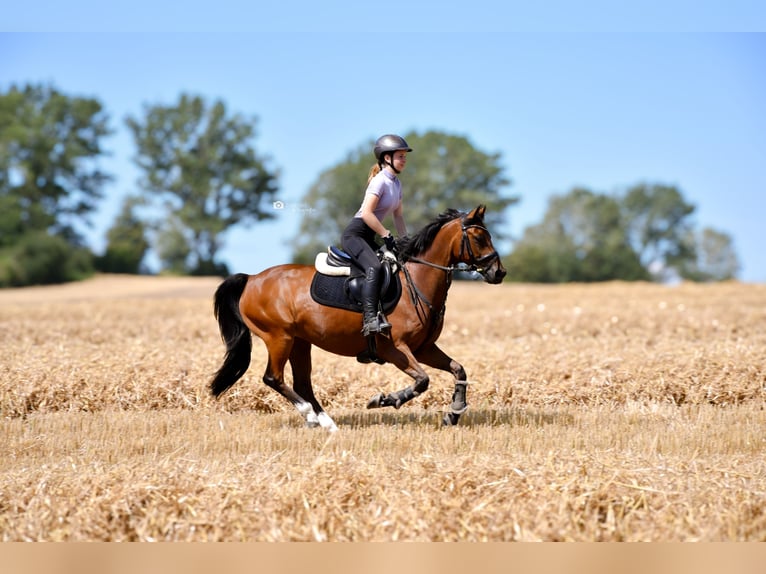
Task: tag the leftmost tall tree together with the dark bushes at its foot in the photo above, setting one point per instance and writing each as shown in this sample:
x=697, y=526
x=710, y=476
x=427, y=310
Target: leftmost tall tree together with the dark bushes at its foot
x=50, y=182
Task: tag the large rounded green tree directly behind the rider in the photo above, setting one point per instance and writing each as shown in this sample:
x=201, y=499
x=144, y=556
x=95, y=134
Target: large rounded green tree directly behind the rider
x=443, y=171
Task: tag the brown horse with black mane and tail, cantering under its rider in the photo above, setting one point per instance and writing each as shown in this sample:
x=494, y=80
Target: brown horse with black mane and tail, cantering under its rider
x=276, y=305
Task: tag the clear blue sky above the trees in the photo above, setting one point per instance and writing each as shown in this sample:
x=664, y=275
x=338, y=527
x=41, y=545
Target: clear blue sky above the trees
x=568, y=99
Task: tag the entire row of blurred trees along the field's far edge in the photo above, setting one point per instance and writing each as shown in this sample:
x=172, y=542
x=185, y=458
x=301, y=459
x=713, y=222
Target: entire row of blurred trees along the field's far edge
x=200, y=176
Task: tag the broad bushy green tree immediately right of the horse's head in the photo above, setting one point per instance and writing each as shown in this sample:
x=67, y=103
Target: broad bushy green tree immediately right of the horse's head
x=581, y=238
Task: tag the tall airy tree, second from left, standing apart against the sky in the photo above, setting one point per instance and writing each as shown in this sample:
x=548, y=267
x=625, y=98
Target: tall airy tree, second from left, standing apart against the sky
x=201, y=171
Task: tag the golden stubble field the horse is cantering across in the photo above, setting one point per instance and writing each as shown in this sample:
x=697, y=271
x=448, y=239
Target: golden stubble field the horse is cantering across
x=612, y=412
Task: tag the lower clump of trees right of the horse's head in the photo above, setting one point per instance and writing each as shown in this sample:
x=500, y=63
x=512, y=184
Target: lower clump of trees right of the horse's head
x=644, y=233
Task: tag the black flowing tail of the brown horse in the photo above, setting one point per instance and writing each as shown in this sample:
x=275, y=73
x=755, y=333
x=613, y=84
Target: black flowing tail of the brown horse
x=234, y=332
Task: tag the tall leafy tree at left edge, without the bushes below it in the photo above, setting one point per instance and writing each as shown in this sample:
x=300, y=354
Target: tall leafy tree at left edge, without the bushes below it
x=50, y=144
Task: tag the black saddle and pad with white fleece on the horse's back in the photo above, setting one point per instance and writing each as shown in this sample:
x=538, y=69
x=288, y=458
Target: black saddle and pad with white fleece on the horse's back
x=337, y=283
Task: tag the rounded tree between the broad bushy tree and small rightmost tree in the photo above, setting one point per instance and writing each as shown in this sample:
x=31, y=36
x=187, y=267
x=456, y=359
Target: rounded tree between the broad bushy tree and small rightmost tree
x=659, y=225
